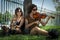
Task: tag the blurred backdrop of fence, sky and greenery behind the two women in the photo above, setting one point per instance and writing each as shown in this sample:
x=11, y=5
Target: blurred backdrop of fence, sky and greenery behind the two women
x=50, y=7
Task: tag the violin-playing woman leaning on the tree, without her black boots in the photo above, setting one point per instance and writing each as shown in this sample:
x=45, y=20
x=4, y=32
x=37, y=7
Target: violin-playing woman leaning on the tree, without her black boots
x=31, y=25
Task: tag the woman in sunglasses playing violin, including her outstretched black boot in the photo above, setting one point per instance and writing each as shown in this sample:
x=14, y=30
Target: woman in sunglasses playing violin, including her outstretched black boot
x=32, y=27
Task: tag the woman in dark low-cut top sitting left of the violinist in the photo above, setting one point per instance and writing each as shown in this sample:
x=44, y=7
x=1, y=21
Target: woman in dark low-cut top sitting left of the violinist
x=17, y=22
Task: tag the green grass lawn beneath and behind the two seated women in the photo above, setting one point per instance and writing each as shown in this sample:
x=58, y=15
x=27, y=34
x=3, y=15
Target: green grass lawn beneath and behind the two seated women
x=30, y=37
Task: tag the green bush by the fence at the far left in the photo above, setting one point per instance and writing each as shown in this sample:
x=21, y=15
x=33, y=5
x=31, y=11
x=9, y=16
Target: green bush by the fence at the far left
x=5, y=17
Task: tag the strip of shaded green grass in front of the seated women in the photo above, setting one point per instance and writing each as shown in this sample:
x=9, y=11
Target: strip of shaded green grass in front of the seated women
x=21, y=37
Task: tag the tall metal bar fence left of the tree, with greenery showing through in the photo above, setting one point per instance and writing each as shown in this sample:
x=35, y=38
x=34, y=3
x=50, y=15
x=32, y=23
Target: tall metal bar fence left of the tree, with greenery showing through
x=7, y=7
